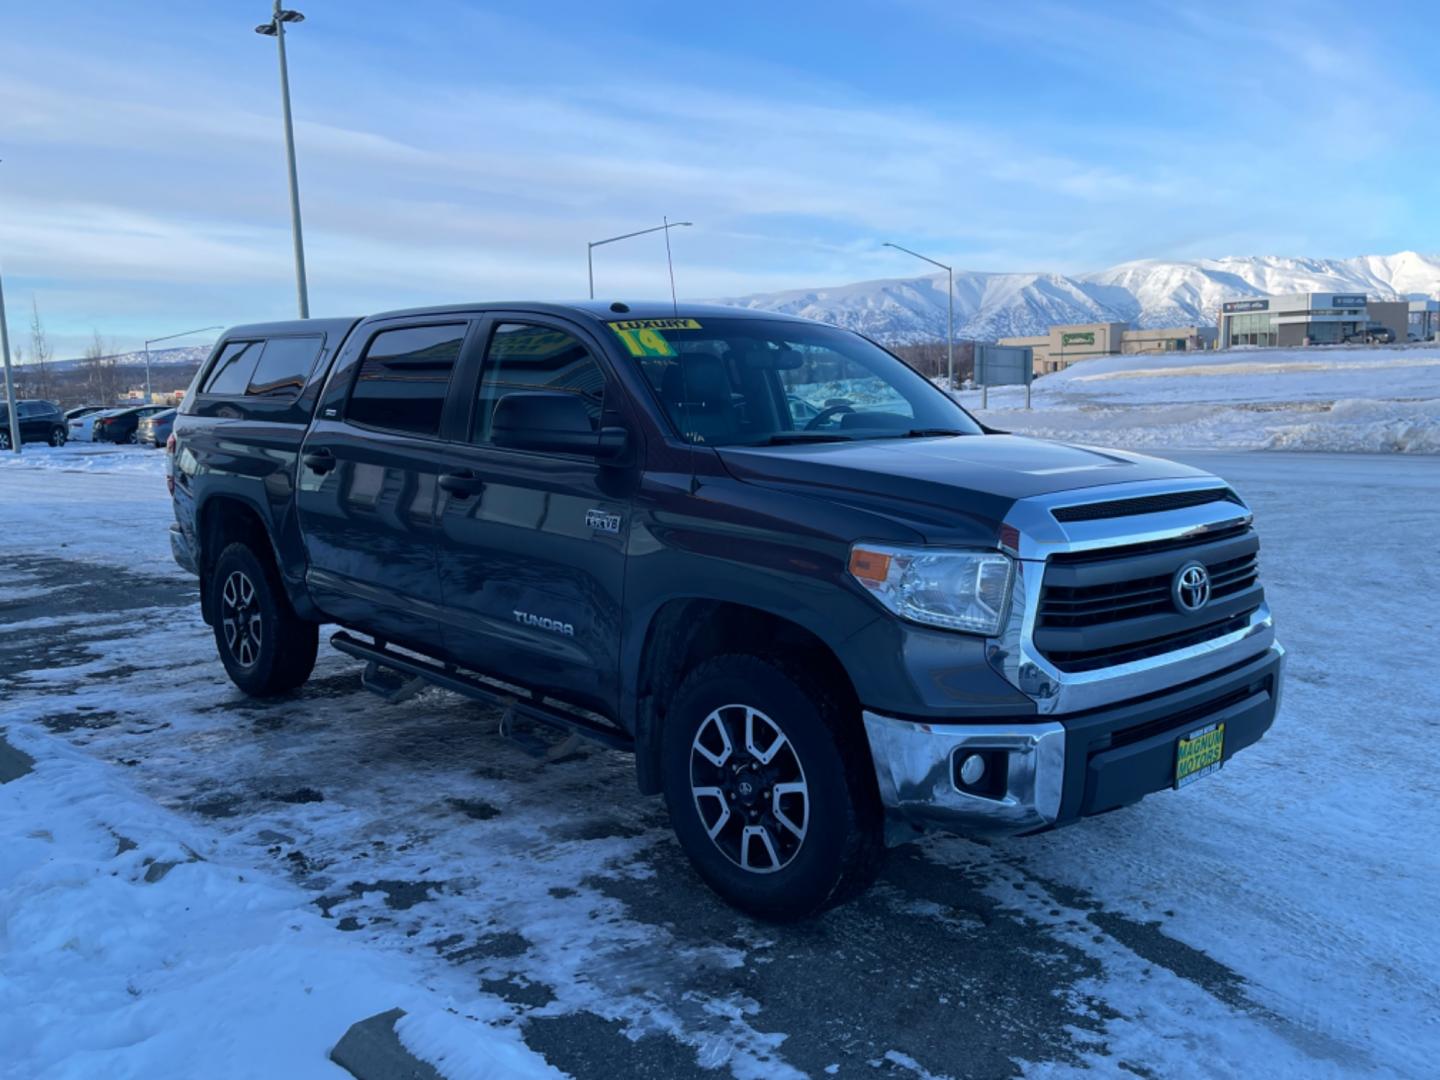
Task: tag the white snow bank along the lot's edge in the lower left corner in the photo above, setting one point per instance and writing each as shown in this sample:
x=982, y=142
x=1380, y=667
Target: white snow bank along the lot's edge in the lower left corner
x=133, y=948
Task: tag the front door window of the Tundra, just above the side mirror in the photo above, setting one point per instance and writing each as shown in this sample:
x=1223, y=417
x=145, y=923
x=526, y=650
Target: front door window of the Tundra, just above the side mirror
x=534, y=358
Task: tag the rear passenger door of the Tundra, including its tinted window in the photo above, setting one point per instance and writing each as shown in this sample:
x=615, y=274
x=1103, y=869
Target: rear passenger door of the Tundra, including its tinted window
x=368, y=483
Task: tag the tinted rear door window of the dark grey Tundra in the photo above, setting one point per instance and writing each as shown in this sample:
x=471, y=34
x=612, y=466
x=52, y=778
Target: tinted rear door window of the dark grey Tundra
x=404, y=379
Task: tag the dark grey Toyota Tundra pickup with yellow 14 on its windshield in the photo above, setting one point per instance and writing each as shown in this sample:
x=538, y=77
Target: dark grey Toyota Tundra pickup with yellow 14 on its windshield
x=817, y=637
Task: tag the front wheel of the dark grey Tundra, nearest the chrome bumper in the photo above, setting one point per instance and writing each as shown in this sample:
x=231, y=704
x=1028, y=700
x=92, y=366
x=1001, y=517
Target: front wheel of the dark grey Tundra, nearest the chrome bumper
x=771, y=790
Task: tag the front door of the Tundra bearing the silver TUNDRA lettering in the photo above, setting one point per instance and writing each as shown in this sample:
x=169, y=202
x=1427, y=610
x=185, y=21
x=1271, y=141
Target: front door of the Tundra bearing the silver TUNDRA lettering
x=532, y=545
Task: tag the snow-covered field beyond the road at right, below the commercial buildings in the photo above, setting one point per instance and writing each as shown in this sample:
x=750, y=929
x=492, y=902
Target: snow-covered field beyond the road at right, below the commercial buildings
x=1346, y=400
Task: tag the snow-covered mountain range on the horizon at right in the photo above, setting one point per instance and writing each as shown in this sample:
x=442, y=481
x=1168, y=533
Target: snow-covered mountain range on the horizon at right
x=1148, y=293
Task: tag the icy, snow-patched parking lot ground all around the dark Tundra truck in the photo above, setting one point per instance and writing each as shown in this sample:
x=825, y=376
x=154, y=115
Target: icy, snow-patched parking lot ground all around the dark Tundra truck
x=300, y=865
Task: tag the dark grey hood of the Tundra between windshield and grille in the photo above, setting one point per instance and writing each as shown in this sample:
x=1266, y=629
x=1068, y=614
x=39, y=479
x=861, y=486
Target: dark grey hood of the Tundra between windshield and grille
x=930, y=482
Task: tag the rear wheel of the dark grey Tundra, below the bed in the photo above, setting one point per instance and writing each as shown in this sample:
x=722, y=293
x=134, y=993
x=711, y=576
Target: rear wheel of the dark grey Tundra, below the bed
x=266, y=647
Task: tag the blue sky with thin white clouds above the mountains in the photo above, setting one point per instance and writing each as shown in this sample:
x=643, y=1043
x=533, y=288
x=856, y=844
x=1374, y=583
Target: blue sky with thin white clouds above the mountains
x=457, y=152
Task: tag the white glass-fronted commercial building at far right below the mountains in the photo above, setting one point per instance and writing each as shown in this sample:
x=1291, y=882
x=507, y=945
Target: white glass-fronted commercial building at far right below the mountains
x=1308, y=319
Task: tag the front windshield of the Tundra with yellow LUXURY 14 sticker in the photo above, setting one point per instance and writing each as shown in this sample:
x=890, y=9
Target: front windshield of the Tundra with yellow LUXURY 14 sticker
x=754, y=382
